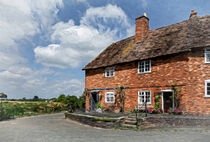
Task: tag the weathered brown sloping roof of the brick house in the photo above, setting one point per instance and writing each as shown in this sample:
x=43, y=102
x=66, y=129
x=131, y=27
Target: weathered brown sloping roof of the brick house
x=176, y=38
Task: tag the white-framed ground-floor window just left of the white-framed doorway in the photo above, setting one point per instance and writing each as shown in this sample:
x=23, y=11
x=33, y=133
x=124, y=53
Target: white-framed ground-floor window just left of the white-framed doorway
x=144, y=96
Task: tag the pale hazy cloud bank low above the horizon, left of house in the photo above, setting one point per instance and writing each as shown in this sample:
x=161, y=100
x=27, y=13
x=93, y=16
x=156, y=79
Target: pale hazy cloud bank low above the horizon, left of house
x=21, y=81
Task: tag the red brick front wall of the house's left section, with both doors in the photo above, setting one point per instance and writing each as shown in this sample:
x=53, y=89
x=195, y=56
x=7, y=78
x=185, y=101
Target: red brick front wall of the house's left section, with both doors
x=165, y=71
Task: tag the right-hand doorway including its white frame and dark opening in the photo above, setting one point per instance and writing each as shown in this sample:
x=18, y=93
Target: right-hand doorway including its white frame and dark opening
x=167, y=100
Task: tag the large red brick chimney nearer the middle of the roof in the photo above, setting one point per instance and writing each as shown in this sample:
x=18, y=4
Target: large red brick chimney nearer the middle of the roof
x=142, y=27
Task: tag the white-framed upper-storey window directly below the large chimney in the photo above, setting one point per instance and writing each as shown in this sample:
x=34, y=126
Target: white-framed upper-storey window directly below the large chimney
x=144, y=66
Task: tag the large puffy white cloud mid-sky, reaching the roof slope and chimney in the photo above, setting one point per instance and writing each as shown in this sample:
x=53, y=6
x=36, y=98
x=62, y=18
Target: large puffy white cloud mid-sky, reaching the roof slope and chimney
x=98, y=28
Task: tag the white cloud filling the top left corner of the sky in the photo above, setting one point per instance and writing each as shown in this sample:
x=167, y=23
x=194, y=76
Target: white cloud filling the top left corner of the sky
x=23, y=18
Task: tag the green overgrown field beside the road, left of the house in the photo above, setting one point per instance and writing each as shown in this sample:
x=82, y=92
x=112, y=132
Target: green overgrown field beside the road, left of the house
x=10, y=109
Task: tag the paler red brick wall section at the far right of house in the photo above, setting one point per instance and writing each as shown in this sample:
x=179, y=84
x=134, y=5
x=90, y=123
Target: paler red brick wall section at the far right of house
x=199, y=72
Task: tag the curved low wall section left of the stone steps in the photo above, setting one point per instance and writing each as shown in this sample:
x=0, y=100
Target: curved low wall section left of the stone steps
x=103, y=122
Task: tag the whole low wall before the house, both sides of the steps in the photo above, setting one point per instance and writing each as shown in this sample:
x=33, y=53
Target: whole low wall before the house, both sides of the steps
x=152, y=121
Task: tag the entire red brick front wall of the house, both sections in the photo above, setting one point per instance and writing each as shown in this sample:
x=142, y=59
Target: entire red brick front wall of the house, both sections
x=187, y=70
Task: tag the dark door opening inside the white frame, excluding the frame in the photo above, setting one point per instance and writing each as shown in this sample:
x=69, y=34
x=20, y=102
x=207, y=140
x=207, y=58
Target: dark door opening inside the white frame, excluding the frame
x=168, y=101
